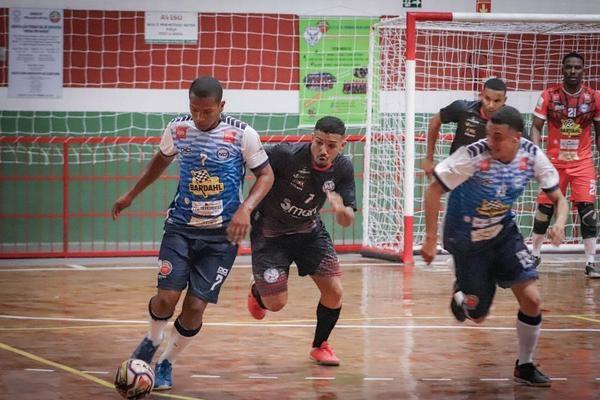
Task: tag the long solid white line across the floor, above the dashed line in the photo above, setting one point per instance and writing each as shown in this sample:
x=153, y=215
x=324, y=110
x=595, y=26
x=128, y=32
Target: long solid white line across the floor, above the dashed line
x=308, y=325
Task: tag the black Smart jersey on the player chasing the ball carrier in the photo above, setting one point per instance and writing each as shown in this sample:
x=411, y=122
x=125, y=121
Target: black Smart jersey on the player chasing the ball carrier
x=298, y=193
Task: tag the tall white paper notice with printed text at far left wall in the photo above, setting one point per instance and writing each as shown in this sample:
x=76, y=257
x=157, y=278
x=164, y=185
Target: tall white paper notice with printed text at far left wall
x=35, y=52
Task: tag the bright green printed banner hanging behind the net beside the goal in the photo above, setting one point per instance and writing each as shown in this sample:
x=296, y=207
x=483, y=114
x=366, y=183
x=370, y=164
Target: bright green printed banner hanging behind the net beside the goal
x=334, y=56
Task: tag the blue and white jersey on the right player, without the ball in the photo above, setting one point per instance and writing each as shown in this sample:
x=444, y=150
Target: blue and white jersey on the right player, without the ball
x=484, y=189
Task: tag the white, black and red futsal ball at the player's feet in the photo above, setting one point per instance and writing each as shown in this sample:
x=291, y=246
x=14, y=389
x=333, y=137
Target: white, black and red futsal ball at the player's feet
x=134, y=379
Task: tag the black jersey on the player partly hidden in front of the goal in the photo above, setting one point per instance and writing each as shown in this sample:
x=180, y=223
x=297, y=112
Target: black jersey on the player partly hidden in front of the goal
x=470, y=123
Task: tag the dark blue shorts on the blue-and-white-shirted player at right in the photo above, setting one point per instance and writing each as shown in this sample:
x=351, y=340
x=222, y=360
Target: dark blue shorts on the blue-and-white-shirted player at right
x=503, y=261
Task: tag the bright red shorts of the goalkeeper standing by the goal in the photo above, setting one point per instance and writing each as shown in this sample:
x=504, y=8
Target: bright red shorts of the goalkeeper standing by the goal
x=581, y=177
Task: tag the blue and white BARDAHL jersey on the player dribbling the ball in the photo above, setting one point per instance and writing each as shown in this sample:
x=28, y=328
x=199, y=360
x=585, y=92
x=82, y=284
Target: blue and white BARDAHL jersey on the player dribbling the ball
x=211, y=169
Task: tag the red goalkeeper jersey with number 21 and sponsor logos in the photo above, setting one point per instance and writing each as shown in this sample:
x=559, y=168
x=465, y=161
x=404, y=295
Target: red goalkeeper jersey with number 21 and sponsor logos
x=570, y=120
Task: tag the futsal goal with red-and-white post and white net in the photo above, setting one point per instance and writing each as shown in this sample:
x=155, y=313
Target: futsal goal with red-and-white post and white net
x=450, y=56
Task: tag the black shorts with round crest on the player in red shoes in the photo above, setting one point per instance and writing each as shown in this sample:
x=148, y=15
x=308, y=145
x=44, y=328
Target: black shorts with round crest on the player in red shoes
x=312, y=252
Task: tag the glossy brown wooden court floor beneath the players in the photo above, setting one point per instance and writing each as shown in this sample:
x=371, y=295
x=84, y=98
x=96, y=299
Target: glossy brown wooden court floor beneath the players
x=66, y=324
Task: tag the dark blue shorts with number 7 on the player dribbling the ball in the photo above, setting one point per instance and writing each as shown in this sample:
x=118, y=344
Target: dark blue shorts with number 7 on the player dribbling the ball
x=199, y=258
